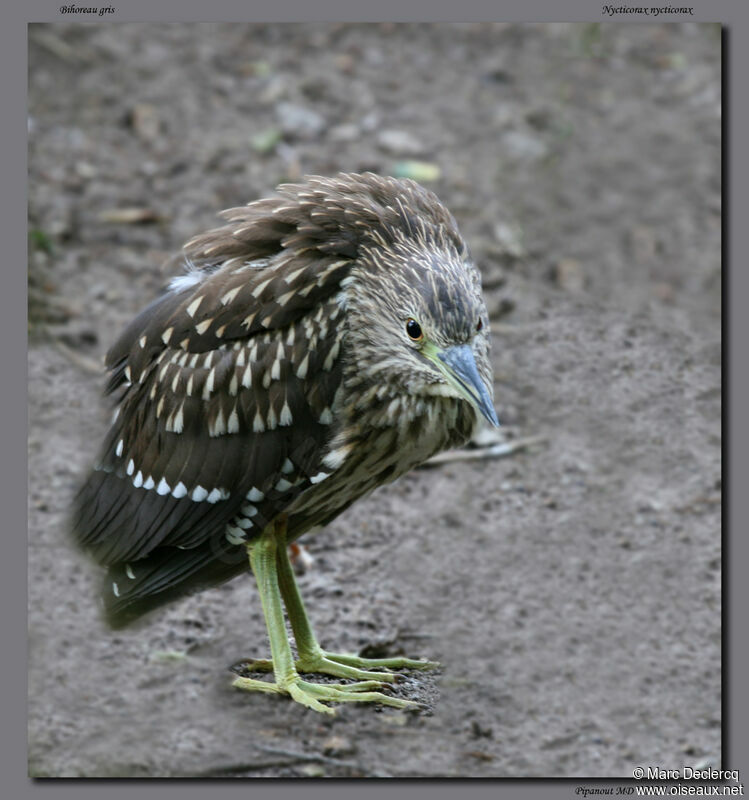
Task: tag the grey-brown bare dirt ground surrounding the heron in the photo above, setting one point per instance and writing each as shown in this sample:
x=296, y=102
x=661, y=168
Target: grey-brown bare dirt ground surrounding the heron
x=572, y=590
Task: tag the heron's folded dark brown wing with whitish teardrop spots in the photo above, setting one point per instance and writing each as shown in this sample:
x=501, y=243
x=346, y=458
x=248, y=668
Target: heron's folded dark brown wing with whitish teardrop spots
x=226, y=387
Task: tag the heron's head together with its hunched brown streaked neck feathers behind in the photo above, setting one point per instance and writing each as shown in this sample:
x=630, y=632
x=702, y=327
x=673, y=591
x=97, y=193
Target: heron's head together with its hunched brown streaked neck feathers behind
x=416, y=323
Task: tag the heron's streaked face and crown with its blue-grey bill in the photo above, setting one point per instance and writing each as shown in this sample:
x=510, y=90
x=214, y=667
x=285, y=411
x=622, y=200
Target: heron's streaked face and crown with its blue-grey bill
x=417, y=314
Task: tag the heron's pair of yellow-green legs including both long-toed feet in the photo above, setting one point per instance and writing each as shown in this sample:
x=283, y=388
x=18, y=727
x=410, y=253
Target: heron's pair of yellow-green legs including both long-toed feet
x=275, y=579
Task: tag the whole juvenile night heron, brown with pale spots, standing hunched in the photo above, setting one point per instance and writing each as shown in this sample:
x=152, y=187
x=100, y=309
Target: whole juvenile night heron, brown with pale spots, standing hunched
x=323, y=342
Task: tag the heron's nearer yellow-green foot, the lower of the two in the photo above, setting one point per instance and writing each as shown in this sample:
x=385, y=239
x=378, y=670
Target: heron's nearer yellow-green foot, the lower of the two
x=315, y=695
